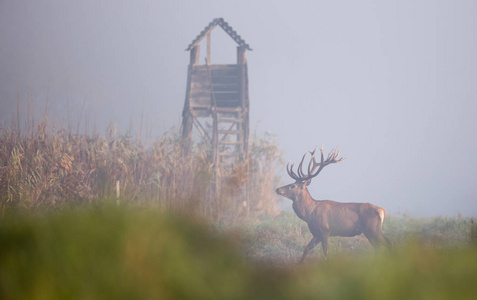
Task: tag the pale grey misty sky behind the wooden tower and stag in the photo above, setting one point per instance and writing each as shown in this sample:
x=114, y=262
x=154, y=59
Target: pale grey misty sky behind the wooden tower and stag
x=392, y=83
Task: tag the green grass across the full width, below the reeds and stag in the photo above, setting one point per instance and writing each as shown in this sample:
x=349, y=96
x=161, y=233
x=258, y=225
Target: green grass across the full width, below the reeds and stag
x=106, y=252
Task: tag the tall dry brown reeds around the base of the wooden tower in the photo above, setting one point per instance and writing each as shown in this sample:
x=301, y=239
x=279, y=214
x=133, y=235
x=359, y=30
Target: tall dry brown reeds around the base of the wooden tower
x=50, y=168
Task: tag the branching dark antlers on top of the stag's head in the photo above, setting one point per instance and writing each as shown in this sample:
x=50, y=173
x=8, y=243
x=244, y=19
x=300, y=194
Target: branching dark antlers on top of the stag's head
x=313, y=165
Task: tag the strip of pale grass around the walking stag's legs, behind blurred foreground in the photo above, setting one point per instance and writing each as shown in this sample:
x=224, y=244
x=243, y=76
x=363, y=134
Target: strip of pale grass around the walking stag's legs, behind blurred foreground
x=281, y=240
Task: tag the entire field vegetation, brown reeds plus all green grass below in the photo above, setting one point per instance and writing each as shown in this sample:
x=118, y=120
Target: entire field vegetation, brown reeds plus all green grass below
x=107, y=217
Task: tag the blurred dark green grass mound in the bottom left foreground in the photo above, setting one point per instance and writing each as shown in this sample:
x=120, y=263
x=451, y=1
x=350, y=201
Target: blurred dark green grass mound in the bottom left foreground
x=110, y=253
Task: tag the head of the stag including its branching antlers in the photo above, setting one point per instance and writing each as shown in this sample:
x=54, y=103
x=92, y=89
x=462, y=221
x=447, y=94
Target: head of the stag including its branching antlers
x=302, y=180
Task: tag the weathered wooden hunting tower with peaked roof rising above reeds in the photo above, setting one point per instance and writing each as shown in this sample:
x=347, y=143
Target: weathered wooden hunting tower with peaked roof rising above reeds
x=216, y=102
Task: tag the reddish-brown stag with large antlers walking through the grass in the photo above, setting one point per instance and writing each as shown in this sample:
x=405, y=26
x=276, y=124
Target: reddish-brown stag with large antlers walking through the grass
x=328, y=218
